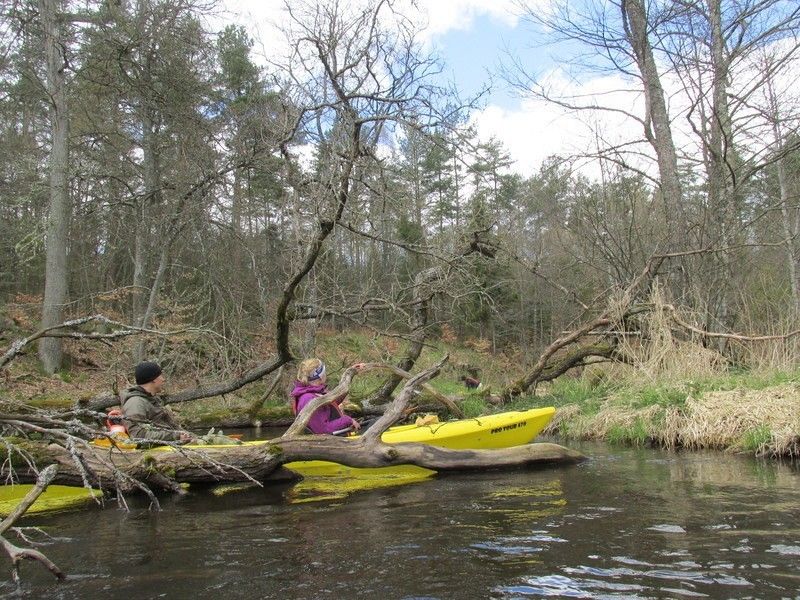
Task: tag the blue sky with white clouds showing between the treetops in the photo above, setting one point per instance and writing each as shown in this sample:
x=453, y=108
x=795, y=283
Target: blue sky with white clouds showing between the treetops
x=473, y=37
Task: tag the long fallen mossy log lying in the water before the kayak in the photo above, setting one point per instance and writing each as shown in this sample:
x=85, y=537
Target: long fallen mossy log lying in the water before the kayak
x=163, y=469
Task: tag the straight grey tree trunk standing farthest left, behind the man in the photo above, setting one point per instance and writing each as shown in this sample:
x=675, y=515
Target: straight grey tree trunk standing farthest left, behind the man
x=55, y=289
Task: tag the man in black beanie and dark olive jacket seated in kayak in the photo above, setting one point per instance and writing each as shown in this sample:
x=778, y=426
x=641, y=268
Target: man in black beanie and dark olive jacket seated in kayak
x=146, y=417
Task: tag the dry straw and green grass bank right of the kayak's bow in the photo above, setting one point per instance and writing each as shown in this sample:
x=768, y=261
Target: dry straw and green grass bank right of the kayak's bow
x=762, y=419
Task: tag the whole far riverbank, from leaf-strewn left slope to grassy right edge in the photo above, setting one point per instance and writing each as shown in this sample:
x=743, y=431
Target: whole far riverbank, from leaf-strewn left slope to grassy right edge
x=694, y=404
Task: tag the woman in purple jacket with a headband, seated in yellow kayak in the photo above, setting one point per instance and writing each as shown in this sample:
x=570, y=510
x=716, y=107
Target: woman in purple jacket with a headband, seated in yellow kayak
x=312, y=383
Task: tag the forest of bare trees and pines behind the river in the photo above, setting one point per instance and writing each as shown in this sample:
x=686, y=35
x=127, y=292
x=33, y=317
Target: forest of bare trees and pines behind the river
x=219, y=213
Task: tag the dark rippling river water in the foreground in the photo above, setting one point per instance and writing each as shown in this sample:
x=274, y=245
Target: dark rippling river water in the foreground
x=628, y=523
